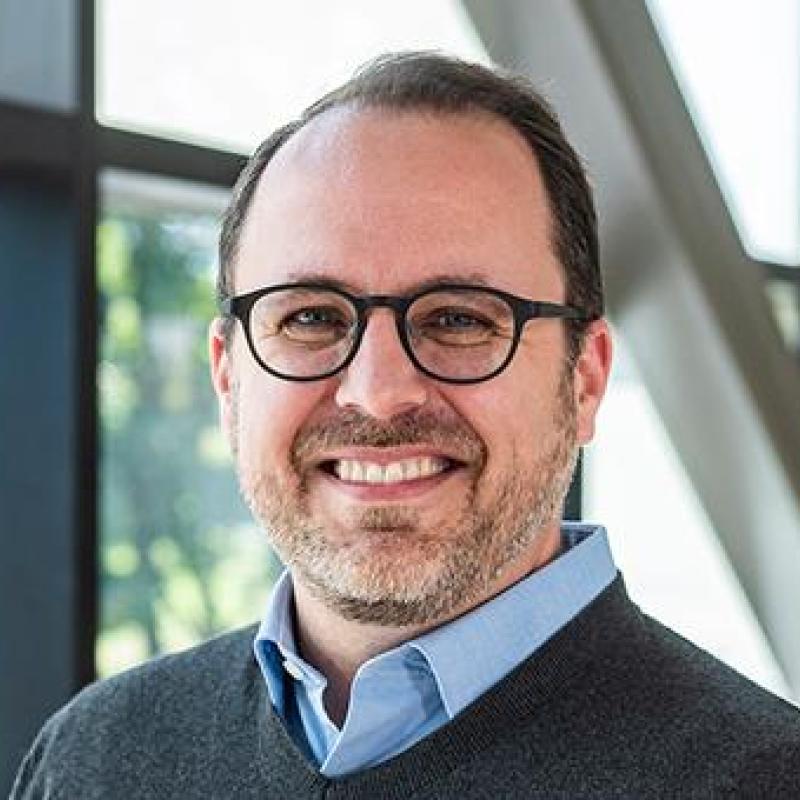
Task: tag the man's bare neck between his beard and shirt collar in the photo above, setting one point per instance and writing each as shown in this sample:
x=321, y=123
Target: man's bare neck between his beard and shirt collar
x=337, y=646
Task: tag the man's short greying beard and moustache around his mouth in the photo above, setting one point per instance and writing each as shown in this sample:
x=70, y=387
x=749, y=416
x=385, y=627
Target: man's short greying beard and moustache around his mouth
x=389, y=568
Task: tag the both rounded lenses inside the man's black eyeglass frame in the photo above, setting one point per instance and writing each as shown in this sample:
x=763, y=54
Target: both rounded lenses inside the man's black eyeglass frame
x=303, y=333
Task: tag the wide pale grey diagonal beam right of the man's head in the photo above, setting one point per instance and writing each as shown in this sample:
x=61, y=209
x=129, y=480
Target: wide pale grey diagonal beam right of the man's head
x=689, y=301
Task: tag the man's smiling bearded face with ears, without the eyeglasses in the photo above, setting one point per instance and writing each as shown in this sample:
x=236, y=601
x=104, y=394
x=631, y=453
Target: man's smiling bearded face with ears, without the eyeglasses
x=384, y=203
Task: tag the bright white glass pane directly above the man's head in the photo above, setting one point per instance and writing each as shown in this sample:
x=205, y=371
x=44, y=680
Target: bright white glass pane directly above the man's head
x=229, y=73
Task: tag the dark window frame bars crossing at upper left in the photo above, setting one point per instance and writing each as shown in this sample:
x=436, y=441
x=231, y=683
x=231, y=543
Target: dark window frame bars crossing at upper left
x=73, y=146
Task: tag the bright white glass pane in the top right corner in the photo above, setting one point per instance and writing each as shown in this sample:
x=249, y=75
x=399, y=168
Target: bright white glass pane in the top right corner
x=738, y=65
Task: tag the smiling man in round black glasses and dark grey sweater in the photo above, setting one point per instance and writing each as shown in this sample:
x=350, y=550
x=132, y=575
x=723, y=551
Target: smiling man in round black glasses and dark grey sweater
x=410, y=353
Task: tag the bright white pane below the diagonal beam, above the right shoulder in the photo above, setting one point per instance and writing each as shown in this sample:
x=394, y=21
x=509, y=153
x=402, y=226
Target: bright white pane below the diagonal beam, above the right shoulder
x=663, y=542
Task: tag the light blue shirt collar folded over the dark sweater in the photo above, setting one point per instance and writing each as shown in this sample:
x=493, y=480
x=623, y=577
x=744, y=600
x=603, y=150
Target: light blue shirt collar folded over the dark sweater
x=473, y=652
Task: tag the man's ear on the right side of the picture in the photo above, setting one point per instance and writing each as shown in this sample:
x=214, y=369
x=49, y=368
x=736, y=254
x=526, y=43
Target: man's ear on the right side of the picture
x=591, y=375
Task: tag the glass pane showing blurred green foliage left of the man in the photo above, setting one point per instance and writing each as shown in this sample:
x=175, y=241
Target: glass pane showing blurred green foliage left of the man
x=180, y=556
